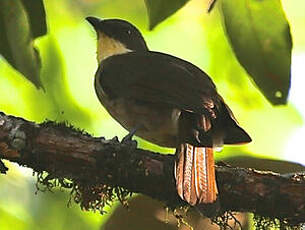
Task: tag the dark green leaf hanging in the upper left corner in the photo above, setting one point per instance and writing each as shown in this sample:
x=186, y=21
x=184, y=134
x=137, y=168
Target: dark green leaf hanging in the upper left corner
x=20, y=24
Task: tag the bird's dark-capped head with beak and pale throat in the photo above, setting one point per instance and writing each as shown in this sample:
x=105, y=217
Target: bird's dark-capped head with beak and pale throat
x=116, y=36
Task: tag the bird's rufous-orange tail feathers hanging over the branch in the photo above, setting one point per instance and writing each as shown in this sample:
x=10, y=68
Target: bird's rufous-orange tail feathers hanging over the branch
x=195, y=174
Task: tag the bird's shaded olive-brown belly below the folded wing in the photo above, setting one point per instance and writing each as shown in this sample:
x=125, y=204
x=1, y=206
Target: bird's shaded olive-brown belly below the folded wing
x=157, y=123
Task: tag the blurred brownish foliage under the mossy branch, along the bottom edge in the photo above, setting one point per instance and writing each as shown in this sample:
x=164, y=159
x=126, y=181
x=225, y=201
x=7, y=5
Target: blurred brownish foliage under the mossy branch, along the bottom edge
x=149, y=214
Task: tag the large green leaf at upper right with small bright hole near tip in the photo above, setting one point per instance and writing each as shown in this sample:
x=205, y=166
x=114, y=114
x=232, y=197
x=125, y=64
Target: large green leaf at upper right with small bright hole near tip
x=259, y=34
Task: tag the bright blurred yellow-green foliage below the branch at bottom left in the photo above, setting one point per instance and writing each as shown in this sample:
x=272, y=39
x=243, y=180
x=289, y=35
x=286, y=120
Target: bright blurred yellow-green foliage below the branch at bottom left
x=22, y=208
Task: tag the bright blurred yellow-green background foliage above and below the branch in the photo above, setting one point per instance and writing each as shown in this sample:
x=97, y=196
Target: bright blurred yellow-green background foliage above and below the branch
x=68, y=65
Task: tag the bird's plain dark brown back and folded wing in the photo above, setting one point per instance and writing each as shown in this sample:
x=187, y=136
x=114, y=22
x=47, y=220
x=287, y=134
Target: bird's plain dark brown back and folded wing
x=156, y=77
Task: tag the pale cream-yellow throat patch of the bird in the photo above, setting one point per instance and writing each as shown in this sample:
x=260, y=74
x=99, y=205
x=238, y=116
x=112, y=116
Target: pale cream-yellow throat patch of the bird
x=107, y=47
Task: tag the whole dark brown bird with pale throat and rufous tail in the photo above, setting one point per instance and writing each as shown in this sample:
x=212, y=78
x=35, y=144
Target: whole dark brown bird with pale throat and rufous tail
x=167, y=101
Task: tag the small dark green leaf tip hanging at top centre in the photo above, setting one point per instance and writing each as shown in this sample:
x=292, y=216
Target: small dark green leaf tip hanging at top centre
x=159, y=10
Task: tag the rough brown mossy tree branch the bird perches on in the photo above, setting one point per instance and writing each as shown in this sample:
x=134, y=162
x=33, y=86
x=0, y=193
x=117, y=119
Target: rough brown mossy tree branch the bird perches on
x=64, y=152
